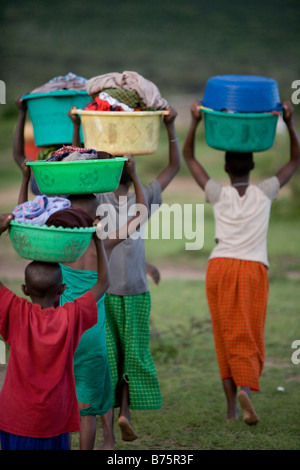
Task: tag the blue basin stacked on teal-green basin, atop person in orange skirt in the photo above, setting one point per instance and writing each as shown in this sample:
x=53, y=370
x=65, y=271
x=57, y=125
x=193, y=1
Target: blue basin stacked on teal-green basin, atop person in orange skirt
x=241, y=112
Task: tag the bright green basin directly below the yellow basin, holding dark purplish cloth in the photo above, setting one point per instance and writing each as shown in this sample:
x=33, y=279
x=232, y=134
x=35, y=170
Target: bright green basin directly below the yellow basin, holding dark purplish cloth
x=78, y=177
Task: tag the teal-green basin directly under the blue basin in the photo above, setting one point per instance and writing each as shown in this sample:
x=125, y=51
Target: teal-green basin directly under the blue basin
x=240, y=132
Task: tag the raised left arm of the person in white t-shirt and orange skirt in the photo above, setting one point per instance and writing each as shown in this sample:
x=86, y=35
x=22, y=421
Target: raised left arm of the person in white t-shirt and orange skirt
x=196, y=169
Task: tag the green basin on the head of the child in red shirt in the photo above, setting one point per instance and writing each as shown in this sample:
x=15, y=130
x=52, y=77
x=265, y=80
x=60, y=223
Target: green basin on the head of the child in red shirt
x=49, y=244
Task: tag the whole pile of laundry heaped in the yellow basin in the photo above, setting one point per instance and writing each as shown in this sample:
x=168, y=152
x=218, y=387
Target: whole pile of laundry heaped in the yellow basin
x=127, y=91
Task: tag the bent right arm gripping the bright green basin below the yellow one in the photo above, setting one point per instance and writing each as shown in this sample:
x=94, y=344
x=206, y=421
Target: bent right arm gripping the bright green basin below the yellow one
x=136, y=221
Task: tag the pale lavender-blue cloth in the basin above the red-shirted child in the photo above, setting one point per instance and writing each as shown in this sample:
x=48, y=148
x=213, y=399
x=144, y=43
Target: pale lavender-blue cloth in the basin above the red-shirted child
x=39, y=209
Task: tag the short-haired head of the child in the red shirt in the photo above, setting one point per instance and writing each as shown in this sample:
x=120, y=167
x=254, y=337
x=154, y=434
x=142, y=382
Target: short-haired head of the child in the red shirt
x=43, y=280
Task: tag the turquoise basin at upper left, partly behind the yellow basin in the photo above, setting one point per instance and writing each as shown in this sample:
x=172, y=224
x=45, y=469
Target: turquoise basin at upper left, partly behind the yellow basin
x=48, y=113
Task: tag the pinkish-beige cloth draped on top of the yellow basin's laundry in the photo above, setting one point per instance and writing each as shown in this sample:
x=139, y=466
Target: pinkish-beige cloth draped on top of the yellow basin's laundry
x=130, y=81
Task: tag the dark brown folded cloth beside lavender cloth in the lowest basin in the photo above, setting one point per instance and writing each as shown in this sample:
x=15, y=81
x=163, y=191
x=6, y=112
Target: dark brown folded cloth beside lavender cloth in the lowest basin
x=70, y=218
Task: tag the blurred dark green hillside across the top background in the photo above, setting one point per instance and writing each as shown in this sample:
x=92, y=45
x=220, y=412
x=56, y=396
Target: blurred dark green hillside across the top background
x=176, y=44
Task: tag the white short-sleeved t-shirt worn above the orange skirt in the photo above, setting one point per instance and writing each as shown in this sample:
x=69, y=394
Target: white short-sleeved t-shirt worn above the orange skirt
x=241, y=222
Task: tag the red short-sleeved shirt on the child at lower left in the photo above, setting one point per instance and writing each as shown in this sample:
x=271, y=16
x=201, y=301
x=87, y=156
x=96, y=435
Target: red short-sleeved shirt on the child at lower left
x=38, y=398
